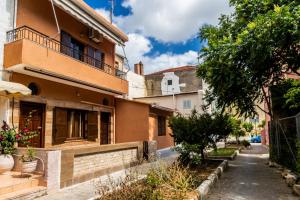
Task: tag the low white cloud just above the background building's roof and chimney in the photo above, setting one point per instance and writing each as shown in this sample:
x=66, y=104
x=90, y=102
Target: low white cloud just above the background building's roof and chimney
x=139, y=45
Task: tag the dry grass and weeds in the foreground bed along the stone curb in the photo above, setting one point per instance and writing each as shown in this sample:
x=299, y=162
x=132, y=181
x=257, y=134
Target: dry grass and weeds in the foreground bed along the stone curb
x=161, y=182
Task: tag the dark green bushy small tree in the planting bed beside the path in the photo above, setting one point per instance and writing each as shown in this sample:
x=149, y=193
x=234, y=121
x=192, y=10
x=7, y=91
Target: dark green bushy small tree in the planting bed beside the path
x=199, y=131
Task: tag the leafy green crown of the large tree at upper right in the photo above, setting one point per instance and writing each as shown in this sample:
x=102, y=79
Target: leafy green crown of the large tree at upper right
x=249, y=51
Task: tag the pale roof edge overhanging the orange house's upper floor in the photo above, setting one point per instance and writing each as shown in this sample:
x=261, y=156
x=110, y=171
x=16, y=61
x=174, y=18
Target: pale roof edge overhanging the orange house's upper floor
x=97, y=17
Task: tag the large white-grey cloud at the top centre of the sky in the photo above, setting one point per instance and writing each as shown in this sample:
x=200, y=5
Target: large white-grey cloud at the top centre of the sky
x=171, y=21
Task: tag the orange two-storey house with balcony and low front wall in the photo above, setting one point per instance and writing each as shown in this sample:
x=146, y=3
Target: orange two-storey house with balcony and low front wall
x=63, y=53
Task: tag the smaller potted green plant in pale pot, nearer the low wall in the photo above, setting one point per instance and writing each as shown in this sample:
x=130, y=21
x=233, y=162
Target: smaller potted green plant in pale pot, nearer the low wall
x=29, y=161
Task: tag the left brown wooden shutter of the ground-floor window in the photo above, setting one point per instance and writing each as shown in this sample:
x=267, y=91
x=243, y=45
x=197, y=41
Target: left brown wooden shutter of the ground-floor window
x=60, y=126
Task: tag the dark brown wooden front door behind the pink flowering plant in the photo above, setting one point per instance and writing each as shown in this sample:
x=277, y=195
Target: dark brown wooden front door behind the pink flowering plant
x=36, y=123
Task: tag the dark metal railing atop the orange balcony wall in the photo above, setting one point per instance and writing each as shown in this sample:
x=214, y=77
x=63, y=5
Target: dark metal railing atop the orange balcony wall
x=28, y=33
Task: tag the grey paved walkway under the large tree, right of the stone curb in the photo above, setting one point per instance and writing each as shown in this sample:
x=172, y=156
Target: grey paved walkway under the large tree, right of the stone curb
x=249, y=178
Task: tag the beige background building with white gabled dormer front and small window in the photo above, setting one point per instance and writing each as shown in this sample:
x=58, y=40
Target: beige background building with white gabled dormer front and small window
x=176, y=88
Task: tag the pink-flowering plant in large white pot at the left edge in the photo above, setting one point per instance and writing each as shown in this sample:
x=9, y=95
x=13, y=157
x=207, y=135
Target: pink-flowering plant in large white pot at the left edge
x=8, y=138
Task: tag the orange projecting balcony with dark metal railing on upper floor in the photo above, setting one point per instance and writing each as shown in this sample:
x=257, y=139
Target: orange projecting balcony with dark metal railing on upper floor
x=29, y=51
